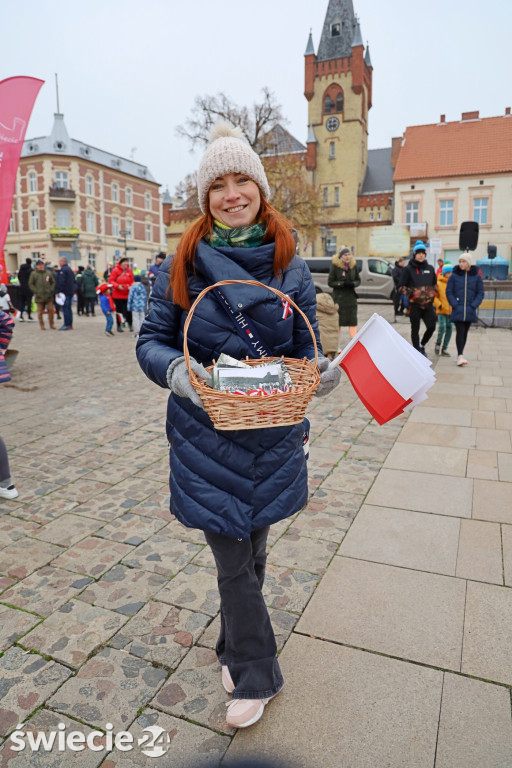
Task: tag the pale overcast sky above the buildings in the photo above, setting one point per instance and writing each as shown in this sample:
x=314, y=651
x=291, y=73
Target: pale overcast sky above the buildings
x=129, y=69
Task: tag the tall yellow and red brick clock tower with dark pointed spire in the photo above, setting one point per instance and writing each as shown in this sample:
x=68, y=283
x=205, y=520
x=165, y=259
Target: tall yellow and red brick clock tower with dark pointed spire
x=338, y=87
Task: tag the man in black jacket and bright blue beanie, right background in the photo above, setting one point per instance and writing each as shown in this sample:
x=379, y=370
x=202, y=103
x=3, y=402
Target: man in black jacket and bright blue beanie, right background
x=419, y=283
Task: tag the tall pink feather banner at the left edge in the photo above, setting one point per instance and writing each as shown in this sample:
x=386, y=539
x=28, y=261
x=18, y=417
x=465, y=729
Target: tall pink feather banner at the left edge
x=17, y=97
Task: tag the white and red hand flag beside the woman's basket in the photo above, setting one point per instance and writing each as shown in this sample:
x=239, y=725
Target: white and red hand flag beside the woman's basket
x=387, y=373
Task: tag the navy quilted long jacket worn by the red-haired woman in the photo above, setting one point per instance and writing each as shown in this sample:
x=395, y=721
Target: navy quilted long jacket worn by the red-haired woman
x=230, y=482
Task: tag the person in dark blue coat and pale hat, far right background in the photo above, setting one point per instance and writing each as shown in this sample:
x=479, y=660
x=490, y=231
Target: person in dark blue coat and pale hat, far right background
x=465, y=293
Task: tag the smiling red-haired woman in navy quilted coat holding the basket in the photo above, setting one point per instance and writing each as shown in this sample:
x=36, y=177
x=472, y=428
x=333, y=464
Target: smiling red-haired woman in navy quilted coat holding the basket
x=233, y=484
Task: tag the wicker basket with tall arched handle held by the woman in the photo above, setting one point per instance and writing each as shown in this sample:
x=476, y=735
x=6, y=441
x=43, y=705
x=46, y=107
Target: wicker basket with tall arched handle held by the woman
x=230, y=411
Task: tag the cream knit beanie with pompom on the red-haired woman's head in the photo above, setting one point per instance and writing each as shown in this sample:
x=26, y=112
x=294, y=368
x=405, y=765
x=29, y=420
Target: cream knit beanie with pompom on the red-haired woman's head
x=228, y=152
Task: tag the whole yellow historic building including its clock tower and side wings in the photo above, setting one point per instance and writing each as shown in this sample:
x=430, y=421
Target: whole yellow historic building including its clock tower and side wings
x=356, y=184
